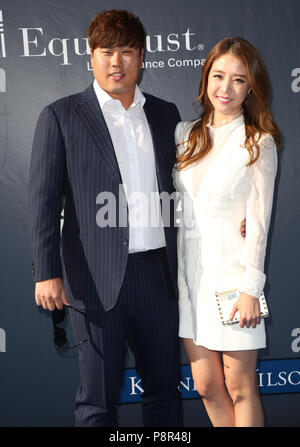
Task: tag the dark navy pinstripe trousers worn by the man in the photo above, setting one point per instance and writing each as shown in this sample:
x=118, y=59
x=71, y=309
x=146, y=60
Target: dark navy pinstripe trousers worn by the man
x=146, y=317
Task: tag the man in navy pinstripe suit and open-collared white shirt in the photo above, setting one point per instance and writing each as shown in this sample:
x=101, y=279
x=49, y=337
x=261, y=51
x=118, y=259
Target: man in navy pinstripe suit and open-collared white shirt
x=110, y=141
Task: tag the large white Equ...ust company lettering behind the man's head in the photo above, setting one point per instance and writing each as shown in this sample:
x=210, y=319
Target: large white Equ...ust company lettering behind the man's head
x=160, y=46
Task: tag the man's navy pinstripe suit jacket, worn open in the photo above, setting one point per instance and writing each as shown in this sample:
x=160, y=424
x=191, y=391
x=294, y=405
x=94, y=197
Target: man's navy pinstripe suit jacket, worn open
x=72, y=161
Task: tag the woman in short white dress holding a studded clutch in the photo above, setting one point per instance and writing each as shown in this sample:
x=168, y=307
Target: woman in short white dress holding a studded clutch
x=225, y=172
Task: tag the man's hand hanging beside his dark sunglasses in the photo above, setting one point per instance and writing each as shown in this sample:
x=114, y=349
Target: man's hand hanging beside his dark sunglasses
x=51, y=294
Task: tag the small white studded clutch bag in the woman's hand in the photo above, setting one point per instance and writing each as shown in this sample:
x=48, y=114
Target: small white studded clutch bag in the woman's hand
x=226, y=300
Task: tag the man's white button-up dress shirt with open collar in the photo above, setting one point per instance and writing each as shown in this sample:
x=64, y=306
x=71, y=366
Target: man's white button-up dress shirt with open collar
x=132, y=141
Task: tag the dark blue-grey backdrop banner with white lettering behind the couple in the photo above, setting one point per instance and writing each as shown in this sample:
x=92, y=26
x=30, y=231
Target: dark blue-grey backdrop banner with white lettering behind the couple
x=44, y=55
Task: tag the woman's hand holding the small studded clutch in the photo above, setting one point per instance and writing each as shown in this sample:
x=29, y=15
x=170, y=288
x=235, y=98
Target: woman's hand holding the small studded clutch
x=249, y=309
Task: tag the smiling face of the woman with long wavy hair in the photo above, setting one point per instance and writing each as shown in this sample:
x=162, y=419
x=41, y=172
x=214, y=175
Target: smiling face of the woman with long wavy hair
x=228, y=86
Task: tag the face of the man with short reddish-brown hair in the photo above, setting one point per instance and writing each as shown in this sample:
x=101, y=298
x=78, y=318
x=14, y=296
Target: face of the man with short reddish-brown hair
x=116, y=70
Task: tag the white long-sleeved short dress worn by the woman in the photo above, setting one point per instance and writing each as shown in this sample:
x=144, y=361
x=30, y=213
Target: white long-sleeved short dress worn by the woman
x=217, y=193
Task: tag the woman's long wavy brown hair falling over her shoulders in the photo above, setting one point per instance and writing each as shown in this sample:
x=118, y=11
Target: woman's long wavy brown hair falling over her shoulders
x=257, y=115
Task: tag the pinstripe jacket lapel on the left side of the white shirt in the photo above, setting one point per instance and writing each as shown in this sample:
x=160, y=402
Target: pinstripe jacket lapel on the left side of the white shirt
x=91, y=115
